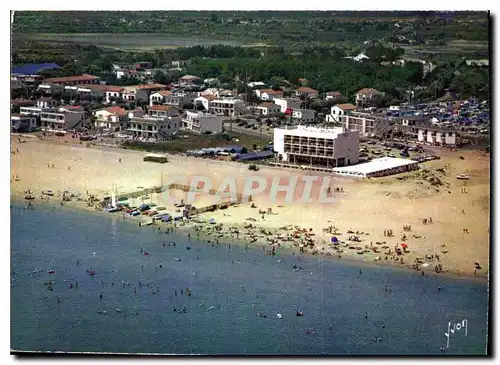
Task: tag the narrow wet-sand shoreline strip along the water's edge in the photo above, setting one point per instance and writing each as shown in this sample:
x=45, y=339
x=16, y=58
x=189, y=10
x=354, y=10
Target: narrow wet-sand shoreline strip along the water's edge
x=205, y=239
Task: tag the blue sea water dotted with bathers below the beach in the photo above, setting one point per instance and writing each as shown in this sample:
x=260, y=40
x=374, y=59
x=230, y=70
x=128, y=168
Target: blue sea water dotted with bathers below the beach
x=228, y=286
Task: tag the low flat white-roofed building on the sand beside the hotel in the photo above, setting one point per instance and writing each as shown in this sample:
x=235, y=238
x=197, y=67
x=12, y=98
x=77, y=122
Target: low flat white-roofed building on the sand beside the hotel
x=378, y=167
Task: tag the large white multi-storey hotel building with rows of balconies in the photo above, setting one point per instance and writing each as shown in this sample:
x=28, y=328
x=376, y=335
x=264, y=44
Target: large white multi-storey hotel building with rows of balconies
x=318, y=147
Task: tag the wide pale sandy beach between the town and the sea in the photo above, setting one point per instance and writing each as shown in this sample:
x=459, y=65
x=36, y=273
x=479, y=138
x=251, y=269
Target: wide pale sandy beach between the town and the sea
x=369, y=206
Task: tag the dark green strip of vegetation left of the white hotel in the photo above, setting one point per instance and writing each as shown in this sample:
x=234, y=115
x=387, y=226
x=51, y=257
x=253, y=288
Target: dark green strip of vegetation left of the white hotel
x=195, y=141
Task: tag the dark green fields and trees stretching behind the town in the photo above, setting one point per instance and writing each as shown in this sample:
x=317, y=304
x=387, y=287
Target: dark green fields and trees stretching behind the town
x=309, y=47
